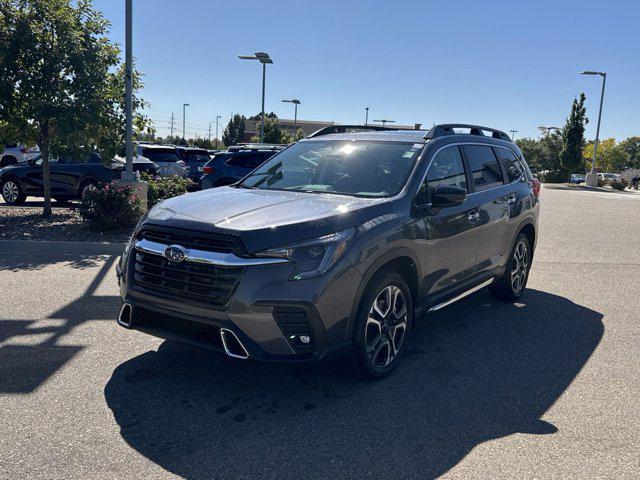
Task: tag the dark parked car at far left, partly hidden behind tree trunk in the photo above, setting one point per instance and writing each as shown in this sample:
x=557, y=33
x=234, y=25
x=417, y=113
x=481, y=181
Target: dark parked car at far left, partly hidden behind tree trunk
x=70, y=178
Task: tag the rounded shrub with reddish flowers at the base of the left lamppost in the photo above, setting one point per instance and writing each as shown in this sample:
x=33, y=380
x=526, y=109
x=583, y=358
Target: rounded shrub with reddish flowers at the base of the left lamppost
x=110, y=207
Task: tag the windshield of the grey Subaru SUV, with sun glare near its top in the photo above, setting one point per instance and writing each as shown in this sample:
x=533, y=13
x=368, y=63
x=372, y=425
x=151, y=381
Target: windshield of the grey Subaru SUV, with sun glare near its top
x=357, y=168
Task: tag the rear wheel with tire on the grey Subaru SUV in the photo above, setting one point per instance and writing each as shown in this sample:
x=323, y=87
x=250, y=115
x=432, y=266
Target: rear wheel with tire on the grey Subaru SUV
x=511, y=284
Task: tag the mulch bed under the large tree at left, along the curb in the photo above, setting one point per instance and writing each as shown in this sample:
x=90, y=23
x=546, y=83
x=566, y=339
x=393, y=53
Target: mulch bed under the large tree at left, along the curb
x=27, y=223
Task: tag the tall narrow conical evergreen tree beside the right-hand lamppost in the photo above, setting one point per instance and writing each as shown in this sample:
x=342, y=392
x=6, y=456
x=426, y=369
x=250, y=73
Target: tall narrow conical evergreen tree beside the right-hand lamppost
x=573, y=138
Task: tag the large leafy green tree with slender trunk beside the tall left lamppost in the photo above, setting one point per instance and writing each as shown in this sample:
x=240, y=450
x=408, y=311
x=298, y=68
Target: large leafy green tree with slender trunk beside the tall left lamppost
x=61, y=79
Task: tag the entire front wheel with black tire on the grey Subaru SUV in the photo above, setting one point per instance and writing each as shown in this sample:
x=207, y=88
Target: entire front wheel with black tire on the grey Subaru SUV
x=382, y=325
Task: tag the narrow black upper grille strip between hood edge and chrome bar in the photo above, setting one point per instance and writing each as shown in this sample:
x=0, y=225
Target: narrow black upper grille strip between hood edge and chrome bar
x=192, y=239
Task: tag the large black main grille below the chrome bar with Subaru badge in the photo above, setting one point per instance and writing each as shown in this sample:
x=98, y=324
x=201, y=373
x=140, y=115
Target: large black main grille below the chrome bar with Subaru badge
x=208, y=284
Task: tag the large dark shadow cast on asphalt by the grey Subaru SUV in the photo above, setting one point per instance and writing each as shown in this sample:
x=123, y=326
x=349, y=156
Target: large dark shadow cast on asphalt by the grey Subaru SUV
x=475, y=371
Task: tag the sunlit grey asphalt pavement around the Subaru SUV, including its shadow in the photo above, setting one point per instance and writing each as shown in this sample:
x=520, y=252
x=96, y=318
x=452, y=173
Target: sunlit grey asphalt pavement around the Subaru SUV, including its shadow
x=545, y=388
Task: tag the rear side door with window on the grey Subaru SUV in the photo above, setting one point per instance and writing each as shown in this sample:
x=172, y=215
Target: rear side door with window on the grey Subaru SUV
x=494, y=200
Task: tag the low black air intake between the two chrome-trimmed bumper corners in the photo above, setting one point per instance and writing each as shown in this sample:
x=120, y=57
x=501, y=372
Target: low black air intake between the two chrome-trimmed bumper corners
x=162, y=323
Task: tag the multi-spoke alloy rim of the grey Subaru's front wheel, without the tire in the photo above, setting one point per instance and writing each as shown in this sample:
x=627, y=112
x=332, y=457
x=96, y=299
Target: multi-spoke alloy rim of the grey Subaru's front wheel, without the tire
x=386, y=326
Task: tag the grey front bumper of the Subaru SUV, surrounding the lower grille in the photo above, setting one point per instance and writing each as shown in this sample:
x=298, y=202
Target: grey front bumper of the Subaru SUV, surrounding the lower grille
x=258, y=313
